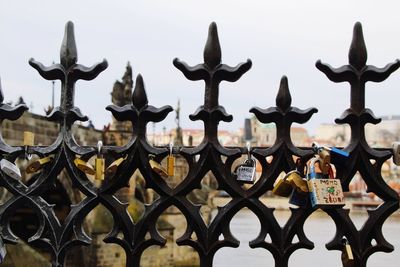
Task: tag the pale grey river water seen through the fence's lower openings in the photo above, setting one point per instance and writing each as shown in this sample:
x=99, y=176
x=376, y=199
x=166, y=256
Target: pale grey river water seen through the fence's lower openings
x=319, y=228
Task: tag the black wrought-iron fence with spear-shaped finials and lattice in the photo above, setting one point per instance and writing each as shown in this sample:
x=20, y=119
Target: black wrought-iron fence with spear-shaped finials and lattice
x=210, y=155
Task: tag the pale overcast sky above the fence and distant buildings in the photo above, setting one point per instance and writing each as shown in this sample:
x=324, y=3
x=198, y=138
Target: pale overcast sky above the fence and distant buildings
x=280, y=37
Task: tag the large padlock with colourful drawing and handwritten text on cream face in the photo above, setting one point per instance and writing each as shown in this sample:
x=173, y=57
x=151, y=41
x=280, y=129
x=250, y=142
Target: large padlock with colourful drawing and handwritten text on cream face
x=324, y=191
